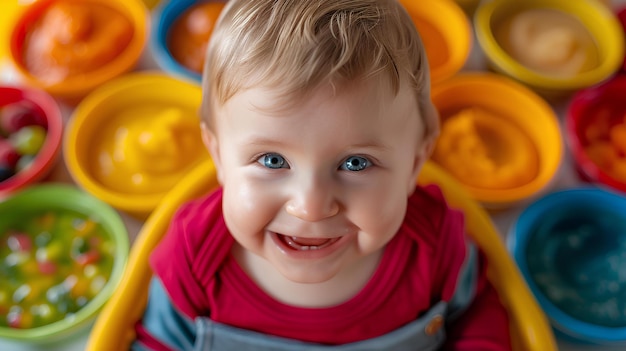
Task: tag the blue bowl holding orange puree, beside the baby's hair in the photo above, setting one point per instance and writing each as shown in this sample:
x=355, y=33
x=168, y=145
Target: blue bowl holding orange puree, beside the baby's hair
x=164, y=16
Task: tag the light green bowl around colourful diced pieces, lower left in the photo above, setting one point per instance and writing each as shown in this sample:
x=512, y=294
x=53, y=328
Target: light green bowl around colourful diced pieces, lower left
x=63, y=197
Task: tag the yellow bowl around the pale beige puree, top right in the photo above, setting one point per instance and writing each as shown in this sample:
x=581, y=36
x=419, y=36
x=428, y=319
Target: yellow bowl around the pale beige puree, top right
x=594, y=16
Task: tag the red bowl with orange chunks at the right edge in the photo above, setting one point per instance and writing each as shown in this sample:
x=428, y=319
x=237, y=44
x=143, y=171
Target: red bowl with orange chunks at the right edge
x=599, y=105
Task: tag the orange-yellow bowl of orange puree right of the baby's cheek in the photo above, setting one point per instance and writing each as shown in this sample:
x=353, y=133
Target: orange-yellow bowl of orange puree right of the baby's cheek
x=522, y=108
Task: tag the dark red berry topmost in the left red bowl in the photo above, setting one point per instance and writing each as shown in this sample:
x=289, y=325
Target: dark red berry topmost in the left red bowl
x=17, y=115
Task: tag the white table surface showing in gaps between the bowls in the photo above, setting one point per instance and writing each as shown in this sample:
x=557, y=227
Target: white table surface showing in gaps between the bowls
x=504, y=219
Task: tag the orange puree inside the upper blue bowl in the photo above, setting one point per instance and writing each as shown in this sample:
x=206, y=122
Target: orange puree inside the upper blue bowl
x=190, y=34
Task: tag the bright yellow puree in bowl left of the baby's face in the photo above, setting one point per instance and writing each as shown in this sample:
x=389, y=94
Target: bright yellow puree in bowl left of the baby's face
x=147, y=149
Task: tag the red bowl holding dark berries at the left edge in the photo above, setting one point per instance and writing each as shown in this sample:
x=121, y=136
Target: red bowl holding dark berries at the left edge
x=49, y=152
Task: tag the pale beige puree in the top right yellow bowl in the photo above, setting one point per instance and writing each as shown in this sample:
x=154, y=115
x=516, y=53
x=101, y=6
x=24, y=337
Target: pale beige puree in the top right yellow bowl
x=548, y=41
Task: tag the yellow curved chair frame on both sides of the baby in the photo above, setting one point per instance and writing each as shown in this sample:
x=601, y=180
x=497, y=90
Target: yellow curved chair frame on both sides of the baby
x=114, y=327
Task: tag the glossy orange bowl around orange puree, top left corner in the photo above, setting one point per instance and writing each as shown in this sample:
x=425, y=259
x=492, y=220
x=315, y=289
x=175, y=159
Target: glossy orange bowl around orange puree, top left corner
x=75, y=87
